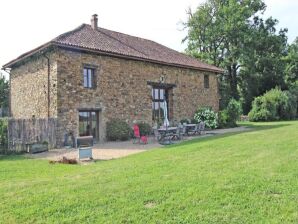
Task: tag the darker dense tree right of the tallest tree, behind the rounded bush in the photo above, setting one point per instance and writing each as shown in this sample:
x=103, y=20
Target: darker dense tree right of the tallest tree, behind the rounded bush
x=262, y=60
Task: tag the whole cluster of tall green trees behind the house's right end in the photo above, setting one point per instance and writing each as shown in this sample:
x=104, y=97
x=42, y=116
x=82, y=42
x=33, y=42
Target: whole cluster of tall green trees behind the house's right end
x=231, y=34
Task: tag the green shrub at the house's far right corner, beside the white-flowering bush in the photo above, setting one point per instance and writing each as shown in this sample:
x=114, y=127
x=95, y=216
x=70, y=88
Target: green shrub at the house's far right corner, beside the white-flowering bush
x=229, y=116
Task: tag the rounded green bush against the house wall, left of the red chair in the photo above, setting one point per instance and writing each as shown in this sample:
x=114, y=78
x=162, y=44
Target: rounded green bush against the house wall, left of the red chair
x=118, y=130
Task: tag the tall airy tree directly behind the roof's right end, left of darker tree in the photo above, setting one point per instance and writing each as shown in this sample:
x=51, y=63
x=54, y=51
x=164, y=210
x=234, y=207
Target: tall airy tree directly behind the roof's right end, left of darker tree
x=217, y=32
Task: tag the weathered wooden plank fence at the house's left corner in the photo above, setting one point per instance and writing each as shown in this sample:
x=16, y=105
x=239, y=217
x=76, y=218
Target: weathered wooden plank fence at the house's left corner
x=22, y=132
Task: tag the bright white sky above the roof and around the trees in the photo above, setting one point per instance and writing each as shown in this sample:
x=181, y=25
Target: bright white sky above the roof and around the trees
x=28, y=24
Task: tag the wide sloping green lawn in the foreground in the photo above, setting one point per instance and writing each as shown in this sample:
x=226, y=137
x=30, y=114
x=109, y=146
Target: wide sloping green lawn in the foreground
x=249, y=177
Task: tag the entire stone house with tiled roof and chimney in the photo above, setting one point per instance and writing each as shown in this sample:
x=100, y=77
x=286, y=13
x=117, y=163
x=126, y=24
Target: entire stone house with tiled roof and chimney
x=90, y=75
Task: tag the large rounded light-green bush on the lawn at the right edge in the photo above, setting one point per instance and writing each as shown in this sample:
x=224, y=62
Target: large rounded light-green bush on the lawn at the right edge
x=274, y=105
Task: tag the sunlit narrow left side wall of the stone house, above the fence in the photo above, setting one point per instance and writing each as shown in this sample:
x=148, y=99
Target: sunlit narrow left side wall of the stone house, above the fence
x=29, y=88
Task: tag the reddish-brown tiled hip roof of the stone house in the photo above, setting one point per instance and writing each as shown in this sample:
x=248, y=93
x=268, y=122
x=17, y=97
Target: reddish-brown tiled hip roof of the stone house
x=119, y=44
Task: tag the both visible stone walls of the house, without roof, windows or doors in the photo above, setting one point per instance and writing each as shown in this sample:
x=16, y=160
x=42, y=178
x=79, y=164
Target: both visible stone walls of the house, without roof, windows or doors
x=122, y=89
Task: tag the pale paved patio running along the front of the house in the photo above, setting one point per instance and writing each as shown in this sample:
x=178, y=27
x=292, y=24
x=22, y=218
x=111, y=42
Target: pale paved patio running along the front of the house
x=114, y=150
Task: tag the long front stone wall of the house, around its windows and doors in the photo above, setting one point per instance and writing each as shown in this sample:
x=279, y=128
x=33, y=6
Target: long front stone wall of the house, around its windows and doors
x=122, y=90
